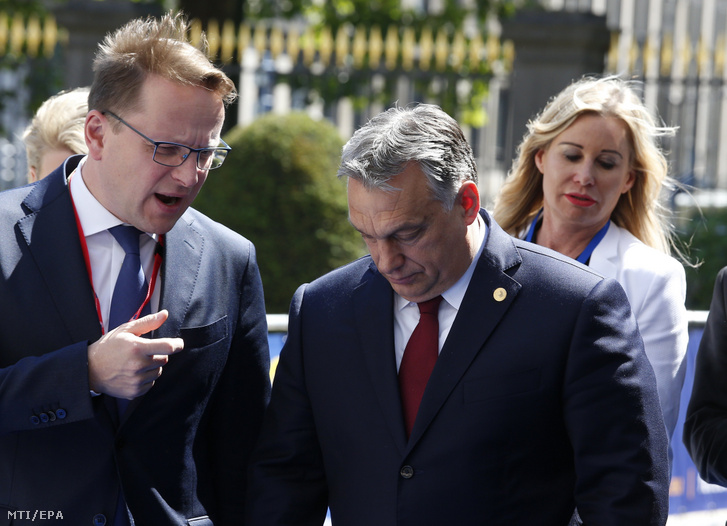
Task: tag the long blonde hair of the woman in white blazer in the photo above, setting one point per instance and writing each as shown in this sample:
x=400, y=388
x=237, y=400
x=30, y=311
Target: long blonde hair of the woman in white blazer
x=640, y=210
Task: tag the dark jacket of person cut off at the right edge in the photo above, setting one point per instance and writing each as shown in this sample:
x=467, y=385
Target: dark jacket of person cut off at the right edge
x=705, y=427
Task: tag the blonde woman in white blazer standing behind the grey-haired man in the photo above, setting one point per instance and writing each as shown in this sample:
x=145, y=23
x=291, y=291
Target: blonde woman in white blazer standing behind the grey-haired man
x=588, y=183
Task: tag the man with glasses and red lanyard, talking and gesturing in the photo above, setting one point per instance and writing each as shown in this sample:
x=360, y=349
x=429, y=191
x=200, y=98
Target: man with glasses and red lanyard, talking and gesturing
x=91, y=430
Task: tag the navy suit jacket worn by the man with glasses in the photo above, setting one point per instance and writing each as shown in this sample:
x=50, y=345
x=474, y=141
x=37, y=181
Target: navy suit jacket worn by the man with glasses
x=181, y=450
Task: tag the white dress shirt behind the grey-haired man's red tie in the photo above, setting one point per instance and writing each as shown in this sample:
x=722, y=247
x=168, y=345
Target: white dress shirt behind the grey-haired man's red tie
x=406, y=313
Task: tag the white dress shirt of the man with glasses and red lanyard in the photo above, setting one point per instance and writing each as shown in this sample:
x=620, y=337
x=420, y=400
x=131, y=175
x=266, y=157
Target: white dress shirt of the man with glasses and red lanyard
x=105, y=253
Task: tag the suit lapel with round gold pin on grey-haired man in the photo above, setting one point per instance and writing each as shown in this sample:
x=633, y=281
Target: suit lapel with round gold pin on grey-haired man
x=489, y=295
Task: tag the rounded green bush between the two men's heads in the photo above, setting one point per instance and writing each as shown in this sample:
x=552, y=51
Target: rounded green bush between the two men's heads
x=278, y=187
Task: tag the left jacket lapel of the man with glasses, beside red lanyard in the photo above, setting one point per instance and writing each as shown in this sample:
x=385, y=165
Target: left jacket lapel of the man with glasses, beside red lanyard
x=51, y=235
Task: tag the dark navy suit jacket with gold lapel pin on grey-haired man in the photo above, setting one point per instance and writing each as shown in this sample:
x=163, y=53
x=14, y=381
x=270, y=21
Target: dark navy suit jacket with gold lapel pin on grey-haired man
x=538, y=403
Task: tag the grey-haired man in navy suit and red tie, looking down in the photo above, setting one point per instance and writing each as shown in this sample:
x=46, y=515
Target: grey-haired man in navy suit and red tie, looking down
x=541, y=399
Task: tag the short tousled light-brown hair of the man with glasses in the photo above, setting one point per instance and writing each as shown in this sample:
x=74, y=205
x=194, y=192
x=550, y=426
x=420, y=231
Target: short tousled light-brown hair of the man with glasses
x=146, y=47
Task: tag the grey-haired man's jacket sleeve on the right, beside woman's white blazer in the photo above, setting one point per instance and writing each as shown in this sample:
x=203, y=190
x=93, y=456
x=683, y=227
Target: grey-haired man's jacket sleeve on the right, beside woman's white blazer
x=611, y=408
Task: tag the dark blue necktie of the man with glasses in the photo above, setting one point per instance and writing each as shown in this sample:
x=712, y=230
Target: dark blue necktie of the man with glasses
x=131, y=288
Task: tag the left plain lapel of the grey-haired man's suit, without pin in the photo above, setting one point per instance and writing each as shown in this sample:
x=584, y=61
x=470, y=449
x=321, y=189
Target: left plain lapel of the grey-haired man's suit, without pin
x=373, y=304
